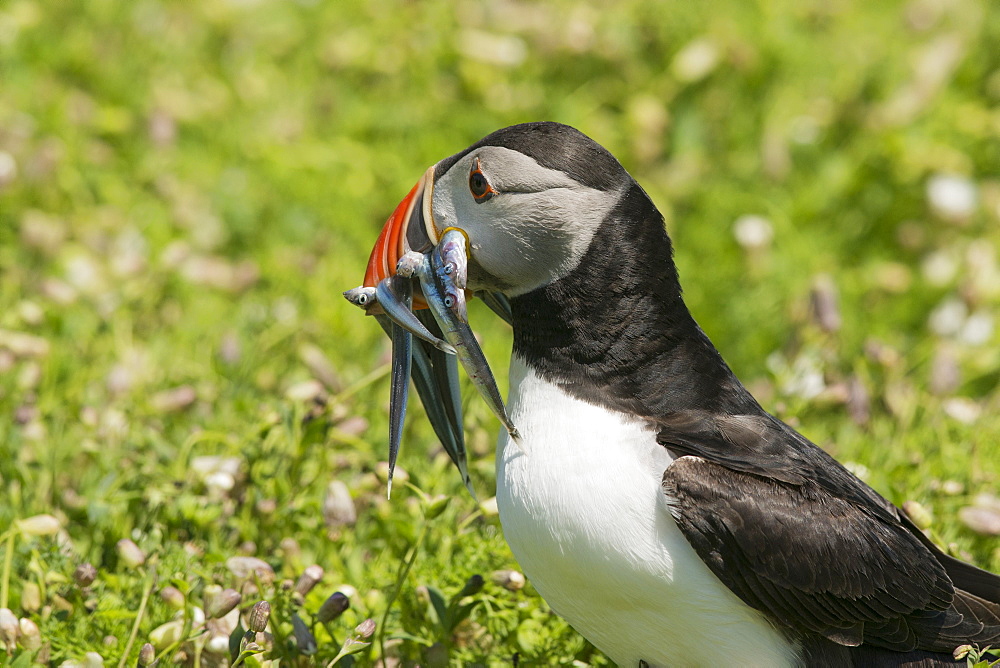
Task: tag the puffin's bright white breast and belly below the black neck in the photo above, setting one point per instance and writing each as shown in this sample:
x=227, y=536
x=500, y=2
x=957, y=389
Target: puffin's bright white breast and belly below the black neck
x=584, y=514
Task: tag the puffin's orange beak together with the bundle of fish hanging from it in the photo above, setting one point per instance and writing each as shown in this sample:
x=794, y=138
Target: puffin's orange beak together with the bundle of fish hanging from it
x=410, y=251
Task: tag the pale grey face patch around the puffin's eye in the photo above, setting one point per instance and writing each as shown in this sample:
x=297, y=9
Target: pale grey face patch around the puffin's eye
x=533, y=232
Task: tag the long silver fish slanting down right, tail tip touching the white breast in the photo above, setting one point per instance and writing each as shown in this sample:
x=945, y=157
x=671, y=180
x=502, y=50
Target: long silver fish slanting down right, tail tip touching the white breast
x=457, y=332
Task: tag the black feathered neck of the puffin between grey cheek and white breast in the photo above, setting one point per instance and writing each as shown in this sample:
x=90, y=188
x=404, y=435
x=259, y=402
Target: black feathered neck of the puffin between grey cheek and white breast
x=615, y=331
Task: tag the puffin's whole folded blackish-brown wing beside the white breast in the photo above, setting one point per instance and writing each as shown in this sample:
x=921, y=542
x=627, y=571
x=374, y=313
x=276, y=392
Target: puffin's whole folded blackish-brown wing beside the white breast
x=795, y=535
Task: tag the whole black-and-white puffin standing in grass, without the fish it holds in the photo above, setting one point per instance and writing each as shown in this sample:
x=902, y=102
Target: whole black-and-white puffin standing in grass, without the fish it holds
x=651, y=500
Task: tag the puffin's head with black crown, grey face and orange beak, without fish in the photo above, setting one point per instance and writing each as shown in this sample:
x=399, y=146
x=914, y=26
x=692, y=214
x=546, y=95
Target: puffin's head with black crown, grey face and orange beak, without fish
x=530, y=199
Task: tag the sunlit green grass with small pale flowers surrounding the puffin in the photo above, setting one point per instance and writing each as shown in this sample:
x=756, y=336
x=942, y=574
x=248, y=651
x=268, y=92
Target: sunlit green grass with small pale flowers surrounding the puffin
x=186, y=188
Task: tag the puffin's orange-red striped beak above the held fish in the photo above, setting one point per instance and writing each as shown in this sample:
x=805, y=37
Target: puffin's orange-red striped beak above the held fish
x=410, y=227
